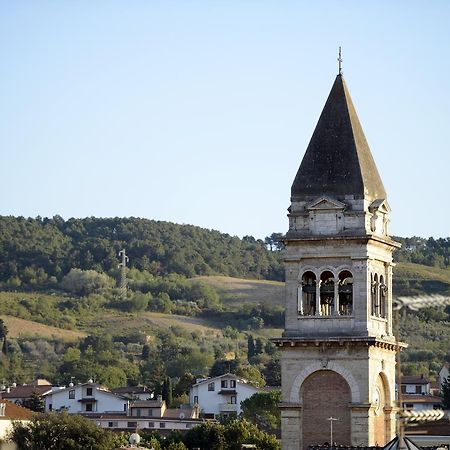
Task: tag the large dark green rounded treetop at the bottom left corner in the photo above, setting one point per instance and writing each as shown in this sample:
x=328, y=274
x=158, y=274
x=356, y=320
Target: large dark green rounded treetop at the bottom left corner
x=55, y=431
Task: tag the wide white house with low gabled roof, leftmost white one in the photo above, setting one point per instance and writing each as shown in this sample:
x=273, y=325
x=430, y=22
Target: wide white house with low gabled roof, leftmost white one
x=85, y=398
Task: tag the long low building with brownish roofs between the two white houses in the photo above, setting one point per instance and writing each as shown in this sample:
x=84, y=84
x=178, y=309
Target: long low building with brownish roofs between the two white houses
x=150, y=415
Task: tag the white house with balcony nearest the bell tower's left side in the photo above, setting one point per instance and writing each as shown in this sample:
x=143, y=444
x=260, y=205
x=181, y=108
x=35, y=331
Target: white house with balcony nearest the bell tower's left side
x=221, y=395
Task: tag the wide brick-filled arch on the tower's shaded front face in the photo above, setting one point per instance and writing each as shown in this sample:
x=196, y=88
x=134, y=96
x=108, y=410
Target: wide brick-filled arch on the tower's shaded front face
x=325, y=394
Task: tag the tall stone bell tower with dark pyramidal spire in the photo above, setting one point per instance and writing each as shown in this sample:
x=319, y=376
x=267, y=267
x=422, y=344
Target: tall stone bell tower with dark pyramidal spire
x=338, y=349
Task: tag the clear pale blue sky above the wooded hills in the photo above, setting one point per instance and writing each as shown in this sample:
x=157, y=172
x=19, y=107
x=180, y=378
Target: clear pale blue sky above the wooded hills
x=200, y=111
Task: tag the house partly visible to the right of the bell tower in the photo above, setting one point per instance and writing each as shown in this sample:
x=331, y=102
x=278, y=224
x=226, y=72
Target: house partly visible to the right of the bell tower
x=416, y=394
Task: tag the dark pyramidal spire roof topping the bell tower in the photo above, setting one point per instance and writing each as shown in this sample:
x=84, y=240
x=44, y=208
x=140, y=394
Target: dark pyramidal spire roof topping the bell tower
x=338, y=160
